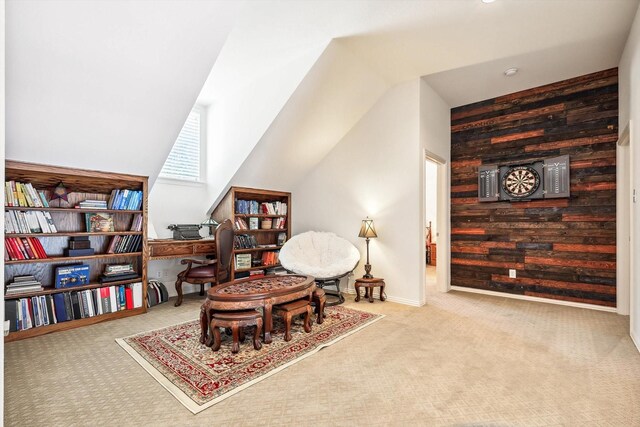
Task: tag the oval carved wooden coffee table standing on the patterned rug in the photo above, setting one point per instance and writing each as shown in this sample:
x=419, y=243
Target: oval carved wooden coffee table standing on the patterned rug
x=251, y=293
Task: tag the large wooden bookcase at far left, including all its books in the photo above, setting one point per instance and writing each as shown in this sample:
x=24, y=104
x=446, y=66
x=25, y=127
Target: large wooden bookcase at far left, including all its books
x=74, y=247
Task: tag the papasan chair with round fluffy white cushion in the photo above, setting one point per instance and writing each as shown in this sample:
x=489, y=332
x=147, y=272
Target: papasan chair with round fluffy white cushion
x=323, y=255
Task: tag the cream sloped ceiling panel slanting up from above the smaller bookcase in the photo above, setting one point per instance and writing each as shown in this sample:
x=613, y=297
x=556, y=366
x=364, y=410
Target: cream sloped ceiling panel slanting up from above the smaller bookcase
x=337, y=91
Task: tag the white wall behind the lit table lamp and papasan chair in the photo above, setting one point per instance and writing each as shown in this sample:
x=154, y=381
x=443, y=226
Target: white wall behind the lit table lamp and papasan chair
x=374, y=170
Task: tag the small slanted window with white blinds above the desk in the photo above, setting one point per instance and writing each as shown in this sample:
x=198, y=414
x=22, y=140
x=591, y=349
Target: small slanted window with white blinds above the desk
x=185, y=159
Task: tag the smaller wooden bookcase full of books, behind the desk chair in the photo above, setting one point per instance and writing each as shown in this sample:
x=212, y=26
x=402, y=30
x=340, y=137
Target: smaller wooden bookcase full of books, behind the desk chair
x=262, y=224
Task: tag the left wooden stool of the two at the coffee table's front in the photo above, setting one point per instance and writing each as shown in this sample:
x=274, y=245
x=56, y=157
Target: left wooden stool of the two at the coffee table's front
x=236, y=320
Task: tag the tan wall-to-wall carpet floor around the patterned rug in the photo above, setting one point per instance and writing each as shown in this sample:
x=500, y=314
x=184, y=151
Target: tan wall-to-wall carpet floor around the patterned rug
x=461, y=360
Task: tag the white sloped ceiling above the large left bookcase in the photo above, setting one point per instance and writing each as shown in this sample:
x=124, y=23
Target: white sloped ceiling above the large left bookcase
x=106, y=85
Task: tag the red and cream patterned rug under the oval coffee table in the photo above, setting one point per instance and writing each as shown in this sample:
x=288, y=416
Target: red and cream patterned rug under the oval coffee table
x=199, y=377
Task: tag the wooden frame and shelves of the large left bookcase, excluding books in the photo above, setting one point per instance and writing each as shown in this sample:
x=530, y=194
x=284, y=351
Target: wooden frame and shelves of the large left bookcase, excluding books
x=70, y=222
